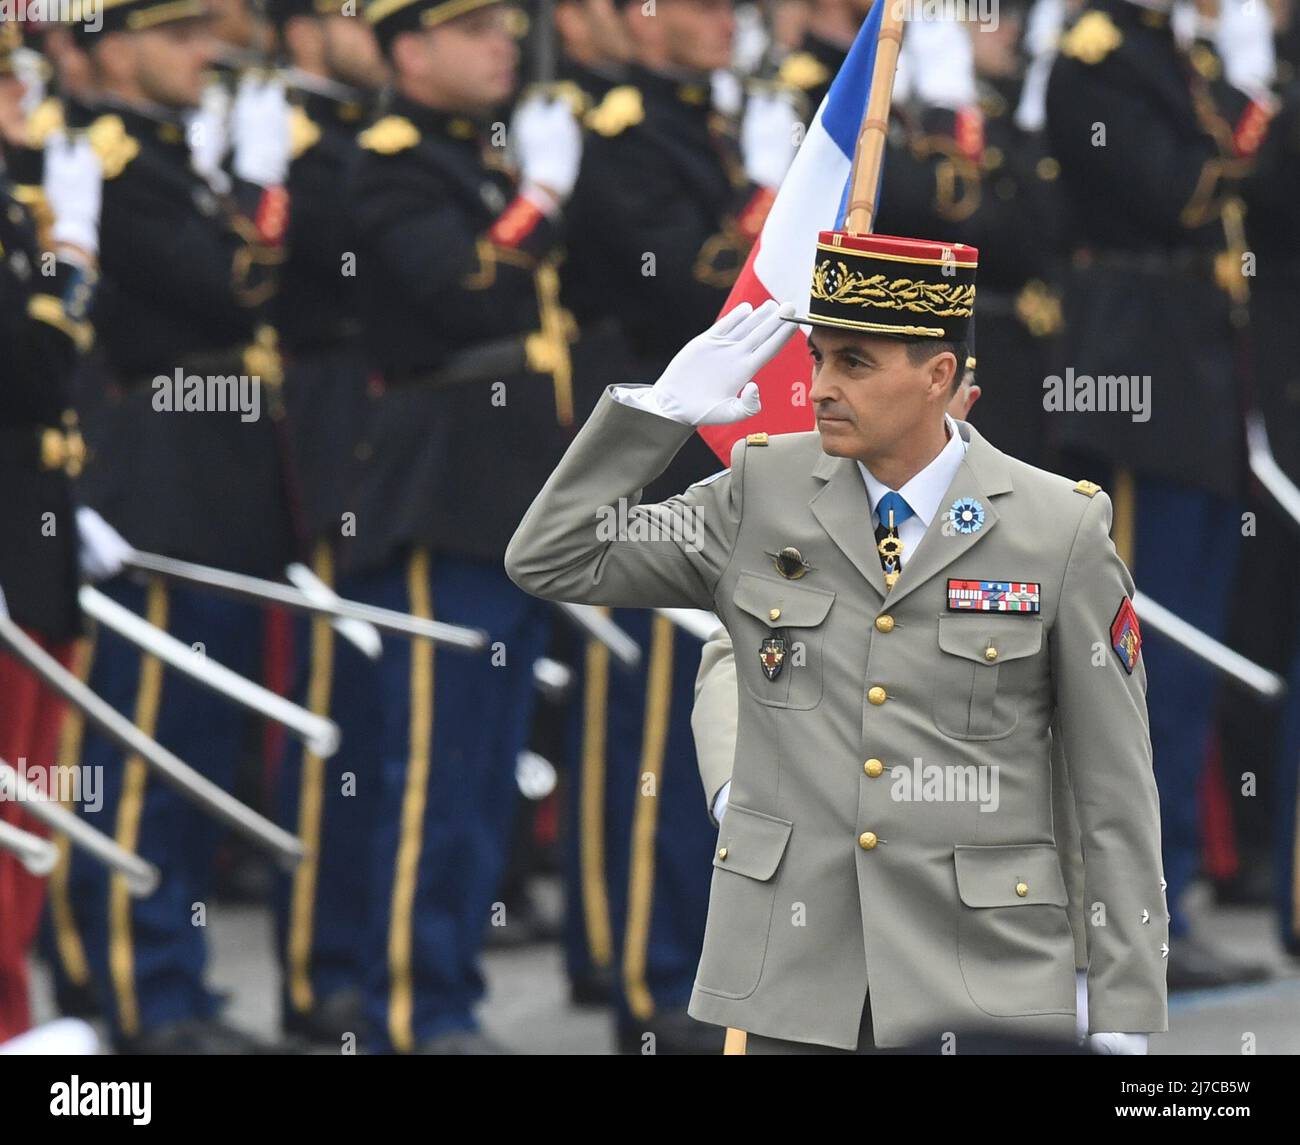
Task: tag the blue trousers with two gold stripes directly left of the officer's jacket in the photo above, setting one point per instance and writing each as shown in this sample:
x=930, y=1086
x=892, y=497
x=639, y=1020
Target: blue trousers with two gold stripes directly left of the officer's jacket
x=639, y=845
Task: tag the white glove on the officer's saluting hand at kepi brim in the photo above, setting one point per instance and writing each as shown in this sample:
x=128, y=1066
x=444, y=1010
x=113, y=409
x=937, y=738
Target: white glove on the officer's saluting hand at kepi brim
x=709, y=381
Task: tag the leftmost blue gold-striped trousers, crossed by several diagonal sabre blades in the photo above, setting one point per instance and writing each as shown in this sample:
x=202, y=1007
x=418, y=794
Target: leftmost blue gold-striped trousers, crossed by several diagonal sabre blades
x=148, y=956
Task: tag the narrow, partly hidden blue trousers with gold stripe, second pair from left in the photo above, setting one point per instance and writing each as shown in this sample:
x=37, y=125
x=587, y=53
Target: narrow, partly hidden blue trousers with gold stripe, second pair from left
x=332, y=805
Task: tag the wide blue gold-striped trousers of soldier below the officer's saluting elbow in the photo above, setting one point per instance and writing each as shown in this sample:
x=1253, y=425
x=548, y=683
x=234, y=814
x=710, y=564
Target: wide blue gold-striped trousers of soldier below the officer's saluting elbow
x=452, y=726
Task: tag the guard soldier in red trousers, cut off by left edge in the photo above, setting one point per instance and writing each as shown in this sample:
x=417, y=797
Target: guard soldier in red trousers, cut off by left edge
x=44, y=326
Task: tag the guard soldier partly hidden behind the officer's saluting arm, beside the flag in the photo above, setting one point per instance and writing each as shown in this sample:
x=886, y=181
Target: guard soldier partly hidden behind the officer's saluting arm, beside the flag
x=662, y=220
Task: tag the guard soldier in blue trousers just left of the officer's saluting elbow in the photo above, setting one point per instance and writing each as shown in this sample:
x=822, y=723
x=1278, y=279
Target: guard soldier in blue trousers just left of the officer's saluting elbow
x=473, y=401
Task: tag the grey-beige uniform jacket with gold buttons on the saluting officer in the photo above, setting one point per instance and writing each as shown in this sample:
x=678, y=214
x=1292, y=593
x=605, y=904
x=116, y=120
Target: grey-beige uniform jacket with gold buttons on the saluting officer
x=835, y=882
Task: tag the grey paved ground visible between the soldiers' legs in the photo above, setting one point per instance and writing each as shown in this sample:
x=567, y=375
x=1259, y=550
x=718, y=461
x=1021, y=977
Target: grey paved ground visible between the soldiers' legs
x=528, y=1005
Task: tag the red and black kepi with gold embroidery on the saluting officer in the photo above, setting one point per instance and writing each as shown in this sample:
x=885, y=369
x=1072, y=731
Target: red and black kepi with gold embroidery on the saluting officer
x=886, y=285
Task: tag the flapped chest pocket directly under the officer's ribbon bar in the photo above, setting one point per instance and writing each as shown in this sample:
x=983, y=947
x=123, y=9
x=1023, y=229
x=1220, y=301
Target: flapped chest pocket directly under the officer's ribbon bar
x=976, y=687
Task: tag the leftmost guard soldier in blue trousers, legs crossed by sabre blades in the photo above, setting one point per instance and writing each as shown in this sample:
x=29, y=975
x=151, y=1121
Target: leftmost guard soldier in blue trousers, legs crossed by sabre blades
x=188, y=466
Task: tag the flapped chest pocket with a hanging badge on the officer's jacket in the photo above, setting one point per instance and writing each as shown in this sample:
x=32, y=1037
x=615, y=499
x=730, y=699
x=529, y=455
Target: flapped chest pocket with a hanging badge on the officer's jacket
x=792, y=615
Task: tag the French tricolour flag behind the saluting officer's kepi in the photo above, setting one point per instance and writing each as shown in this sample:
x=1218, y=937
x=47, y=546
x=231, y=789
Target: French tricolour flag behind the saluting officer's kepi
x=812, y=199
